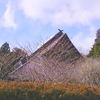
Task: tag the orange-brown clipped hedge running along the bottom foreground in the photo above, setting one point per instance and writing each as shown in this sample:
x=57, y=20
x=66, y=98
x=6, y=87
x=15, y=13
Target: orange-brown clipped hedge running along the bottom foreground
x=47, y=91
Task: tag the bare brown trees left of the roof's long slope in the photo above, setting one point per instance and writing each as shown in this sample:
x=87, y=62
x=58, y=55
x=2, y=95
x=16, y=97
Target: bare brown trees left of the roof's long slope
x=8, y=59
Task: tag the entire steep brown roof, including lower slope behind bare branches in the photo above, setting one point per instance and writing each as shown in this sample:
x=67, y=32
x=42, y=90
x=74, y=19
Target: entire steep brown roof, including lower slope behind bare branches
x=50, y=60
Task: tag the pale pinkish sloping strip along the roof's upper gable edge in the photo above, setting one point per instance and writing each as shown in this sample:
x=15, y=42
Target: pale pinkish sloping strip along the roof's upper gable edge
x=52, y=44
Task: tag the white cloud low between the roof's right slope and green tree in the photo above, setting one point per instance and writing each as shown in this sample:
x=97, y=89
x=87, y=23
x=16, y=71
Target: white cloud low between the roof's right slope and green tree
x=85, y=42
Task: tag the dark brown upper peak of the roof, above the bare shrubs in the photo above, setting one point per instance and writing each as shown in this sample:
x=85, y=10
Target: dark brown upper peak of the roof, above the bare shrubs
x=60, y=48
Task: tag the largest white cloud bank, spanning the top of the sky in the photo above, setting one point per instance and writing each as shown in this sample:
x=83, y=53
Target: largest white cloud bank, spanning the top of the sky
x=67, y=12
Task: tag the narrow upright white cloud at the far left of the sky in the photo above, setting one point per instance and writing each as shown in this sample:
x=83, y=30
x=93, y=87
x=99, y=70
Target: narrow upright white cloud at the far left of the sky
x=7, y=20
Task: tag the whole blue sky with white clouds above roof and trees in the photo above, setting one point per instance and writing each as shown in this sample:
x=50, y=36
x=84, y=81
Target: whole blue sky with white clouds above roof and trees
x=34, y=21
